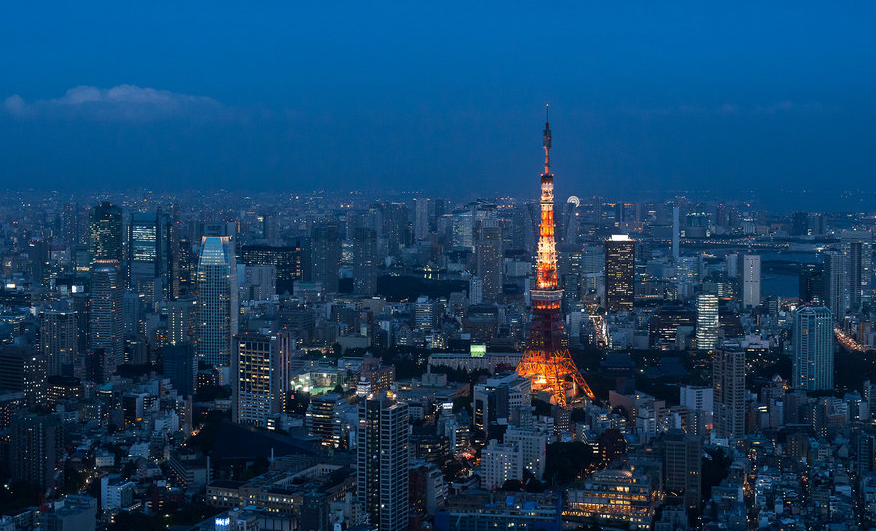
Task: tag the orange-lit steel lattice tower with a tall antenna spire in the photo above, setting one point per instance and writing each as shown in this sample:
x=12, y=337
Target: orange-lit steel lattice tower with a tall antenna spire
x=546, y=361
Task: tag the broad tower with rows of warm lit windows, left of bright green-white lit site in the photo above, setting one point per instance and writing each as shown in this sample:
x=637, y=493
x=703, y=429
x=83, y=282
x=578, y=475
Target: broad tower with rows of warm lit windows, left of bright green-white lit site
x=260, y=377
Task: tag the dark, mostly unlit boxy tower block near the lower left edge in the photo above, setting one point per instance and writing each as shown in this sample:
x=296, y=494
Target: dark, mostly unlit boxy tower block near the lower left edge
x=37, y=451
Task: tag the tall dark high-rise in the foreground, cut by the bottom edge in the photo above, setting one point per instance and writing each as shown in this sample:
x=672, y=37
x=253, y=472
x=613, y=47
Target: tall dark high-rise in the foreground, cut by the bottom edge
x=382, y=462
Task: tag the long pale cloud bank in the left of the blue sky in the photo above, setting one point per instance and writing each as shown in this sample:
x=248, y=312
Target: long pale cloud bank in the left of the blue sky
x=120, y=103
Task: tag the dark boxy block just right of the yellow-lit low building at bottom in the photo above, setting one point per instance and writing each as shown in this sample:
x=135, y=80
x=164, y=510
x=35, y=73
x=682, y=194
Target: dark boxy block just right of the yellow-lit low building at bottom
x=683, y=466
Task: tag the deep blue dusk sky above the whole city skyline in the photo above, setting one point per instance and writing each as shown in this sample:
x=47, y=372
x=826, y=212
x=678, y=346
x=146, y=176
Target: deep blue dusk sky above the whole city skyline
x=440, y=99
